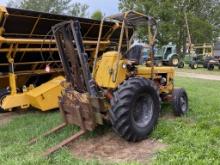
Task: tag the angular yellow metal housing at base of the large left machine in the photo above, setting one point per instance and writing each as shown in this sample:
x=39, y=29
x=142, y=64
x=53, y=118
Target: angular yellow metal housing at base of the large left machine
x=44, y=97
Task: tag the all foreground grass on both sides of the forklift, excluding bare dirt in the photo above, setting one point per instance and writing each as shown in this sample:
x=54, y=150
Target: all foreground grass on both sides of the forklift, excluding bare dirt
x=193, y=139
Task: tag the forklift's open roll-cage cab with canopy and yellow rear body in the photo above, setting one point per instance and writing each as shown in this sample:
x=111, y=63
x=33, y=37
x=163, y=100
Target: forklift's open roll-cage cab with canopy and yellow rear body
x=117, y=64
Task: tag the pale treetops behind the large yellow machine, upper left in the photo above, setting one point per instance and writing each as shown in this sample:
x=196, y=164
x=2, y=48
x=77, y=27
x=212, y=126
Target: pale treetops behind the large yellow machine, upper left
x=52, y=6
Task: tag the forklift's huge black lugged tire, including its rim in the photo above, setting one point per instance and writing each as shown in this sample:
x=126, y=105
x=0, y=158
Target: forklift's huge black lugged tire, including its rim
x=135, y=108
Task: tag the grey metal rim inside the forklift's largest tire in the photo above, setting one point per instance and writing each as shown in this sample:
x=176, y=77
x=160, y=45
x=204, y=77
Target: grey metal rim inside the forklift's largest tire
x=143, y=111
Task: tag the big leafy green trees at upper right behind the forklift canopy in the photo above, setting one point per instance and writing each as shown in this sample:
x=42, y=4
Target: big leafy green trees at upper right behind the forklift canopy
x=203, y=17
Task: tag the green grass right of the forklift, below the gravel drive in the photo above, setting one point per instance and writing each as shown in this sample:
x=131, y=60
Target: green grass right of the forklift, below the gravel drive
x=193, y=139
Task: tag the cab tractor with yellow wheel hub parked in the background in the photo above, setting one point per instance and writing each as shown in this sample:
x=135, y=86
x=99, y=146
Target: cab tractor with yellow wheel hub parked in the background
x=168, y=56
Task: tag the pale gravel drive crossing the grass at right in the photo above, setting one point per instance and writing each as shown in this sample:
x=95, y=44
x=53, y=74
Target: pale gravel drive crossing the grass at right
x=197, y=75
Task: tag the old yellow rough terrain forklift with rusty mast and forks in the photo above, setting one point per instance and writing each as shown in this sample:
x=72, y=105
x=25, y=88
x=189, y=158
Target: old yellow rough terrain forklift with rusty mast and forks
x=118, y=87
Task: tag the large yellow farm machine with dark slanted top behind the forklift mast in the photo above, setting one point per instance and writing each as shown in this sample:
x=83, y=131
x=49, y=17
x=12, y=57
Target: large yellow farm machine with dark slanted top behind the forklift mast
x=30, y=65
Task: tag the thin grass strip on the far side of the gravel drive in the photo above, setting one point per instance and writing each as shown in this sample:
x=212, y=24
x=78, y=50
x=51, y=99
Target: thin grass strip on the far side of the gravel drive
x=187, y=69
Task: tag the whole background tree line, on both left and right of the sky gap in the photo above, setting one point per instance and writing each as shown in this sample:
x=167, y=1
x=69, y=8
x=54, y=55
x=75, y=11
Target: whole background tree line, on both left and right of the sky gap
x=203, y=16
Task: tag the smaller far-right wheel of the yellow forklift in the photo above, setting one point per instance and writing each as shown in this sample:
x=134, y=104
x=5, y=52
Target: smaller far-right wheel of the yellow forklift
x=180, y=102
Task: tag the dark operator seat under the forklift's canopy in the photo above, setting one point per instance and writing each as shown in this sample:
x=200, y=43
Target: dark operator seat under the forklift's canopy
x=135, y=53
